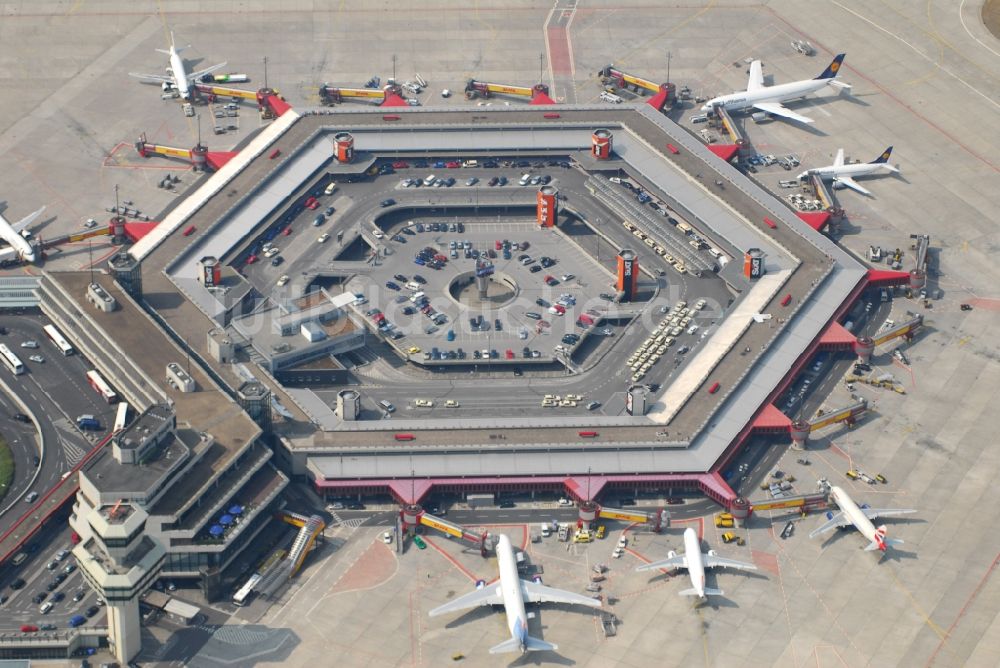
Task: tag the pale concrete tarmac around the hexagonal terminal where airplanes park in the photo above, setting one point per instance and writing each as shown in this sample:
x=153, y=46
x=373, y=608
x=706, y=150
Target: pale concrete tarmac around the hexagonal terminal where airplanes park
x=923, y=80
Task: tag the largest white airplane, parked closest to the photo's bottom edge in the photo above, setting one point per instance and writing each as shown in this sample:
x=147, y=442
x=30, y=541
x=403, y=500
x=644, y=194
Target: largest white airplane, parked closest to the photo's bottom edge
x=512, y=592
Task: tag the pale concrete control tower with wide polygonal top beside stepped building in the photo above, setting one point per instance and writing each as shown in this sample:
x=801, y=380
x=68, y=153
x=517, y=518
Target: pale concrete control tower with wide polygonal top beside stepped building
x=120, y=562
